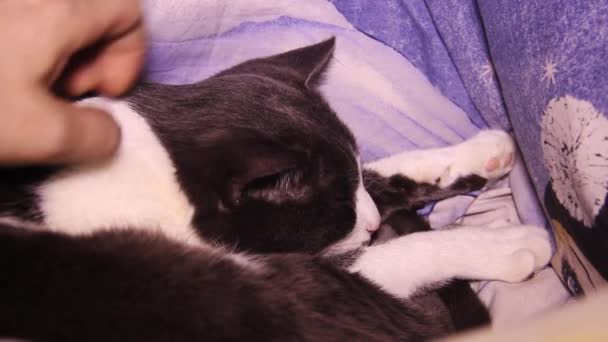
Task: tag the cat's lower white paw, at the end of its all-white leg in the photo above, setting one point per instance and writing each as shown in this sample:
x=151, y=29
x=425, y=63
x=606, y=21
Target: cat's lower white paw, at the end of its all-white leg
x=513, y=253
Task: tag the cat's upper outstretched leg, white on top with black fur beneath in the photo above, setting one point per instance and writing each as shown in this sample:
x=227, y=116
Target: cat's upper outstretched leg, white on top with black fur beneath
x=414, y=178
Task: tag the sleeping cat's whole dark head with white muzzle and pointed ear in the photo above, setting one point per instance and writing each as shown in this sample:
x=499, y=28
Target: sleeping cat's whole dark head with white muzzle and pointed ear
x=267, y=164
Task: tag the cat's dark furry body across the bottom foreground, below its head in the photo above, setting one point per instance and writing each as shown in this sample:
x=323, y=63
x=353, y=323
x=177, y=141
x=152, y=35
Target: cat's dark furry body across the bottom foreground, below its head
x=132, y=286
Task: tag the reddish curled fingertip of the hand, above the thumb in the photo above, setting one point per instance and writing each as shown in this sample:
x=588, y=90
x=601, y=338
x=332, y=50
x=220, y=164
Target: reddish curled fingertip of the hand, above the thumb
x=111, y=70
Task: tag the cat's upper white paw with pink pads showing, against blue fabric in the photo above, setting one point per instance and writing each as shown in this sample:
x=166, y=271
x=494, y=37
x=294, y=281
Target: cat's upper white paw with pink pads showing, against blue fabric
x=489, y=154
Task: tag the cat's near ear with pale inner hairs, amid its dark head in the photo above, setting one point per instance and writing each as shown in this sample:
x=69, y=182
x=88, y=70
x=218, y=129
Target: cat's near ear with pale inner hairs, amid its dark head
x=268, y=174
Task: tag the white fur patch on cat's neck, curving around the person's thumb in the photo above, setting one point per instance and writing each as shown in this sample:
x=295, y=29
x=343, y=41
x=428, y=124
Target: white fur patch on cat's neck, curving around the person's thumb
x=136, y=188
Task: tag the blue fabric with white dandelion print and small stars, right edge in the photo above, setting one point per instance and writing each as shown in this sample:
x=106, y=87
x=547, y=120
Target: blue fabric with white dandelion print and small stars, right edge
x=551, y=59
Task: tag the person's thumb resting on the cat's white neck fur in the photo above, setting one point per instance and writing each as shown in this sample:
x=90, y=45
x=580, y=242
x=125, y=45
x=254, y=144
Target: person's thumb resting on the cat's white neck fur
x=53, y=131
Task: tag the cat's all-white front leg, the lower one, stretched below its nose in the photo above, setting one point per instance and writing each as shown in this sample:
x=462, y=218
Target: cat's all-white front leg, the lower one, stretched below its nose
x=419, y=260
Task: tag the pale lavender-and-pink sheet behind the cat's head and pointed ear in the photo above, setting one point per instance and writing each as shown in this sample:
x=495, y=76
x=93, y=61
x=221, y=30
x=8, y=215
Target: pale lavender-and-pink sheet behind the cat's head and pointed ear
x=389, y=103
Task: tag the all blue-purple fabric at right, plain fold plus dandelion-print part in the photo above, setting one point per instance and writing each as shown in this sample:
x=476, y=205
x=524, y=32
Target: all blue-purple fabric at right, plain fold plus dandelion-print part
x=536, y=68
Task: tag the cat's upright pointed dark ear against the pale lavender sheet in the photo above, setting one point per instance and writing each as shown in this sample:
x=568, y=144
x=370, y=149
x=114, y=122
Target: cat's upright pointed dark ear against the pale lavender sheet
x=308, y=62
